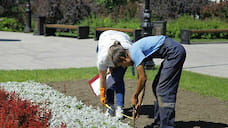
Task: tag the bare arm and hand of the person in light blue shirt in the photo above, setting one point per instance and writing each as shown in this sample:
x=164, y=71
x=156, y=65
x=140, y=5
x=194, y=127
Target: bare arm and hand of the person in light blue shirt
x=137, y=97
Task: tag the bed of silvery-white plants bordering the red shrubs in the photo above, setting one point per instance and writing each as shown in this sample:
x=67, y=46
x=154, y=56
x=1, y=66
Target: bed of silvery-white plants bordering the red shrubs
x=64, y=109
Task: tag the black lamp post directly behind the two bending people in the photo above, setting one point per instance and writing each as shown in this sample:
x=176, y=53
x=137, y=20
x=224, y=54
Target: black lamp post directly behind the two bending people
x=146, y=27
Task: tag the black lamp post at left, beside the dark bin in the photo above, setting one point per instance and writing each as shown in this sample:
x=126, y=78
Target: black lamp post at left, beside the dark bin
x=28, y=17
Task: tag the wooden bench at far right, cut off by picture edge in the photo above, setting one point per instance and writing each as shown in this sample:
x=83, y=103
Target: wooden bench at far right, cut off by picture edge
x=186, y=34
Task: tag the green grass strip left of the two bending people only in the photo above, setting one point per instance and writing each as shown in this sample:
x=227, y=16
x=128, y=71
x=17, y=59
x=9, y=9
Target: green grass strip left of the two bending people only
x=51, y=75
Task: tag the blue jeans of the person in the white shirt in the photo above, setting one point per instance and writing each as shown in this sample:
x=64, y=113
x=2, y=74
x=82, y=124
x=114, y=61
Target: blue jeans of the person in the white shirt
x=118, y=87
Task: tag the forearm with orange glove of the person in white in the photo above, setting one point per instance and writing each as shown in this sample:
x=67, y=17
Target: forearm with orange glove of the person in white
x=102, y=75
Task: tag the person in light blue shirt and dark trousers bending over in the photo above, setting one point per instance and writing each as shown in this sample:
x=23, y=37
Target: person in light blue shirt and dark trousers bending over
x=165, y=83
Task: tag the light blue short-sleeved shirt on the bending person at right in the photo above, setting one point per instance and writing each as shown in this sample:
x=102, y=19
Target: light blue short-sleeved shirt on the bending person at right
x=144, y=47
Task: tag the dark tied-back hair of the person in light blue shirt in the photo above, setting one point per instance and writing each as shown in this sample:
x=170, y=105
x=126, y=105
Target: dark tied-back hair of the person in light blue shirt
x=115, y=52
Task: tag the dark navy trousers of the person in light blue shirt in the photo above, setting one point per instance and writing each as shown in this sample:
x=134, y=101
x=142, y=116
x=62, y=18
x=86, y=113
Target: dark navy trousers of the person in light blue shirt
x=166, y=82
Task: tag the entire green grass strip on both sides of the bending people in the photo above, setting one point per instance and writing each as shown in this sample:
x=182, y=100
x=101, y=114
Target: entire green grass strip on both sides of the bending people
x=194, y=82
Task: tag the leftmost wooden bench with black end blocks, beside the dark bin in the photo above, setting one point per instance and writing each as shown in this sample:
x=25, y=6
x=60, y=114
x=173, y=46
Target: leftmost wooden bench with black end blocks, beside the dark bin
x=50, y=29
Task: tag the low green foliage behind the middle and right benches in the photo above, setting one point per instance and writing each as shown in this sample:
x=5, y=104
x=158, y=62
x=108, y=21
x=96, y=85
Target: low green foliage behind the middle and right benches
x=173, y=26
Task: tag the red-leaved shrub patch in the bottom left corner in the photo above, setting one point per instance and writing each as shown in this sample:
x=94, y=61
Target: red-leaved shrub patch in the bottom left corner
x=18, y=113
